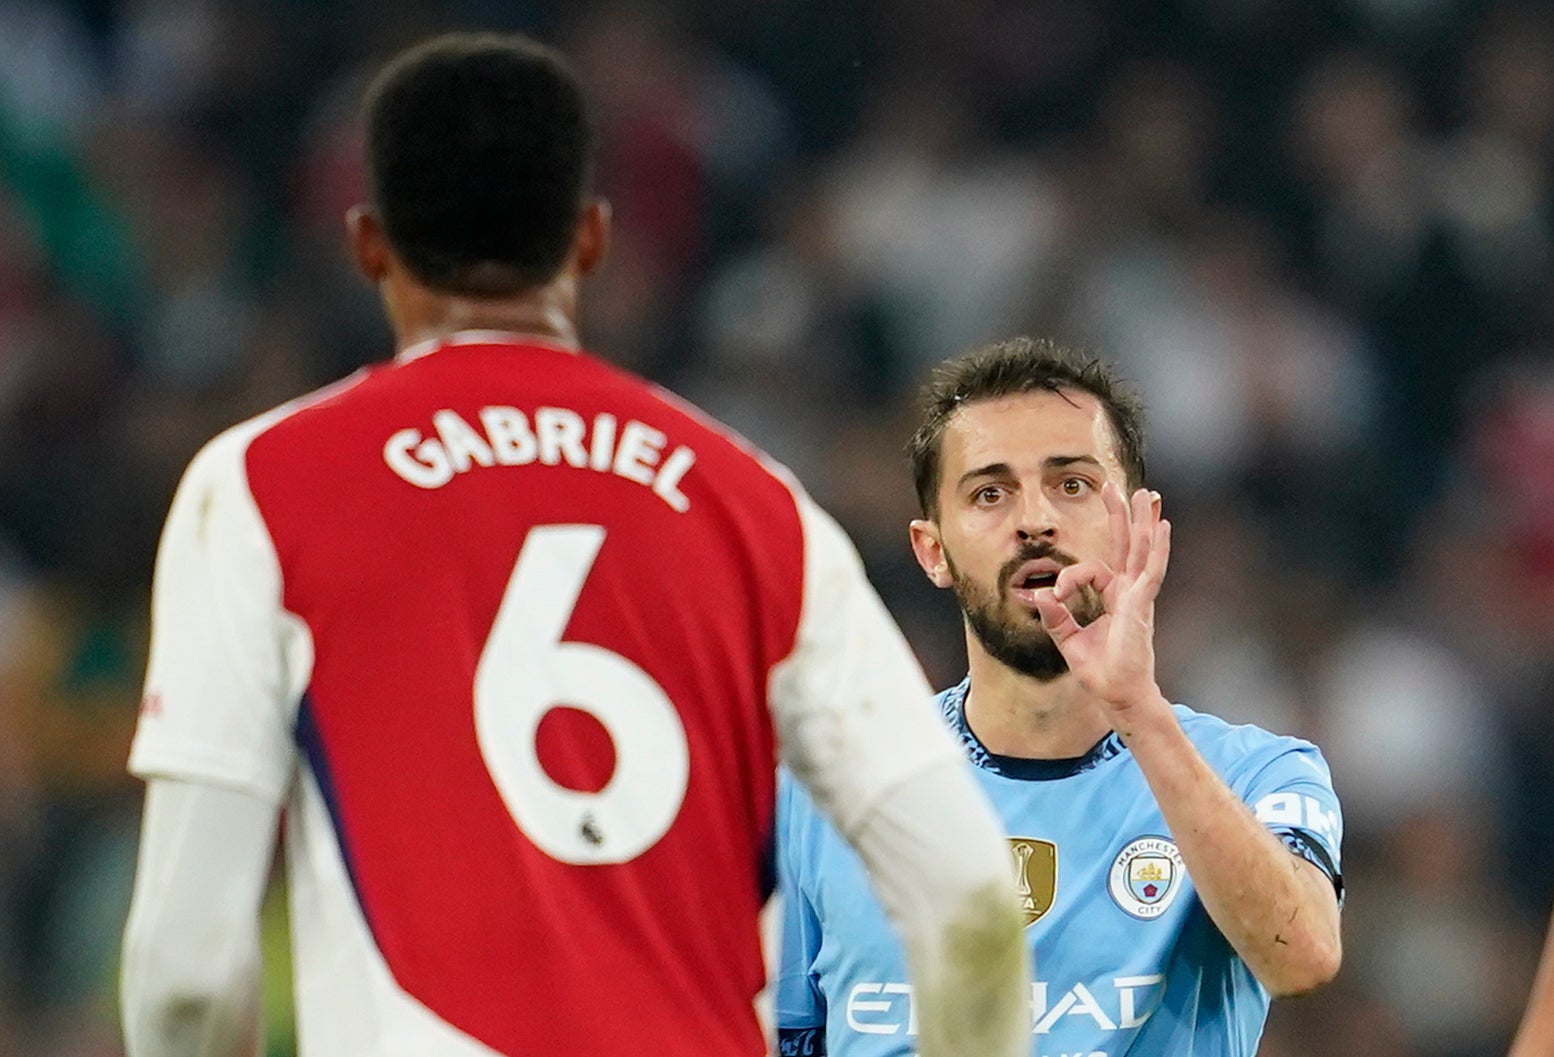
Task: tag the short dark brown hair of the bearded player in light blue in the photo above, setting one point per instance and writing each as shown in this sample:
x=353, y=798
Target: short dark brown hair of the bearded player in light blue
x=1020, y=366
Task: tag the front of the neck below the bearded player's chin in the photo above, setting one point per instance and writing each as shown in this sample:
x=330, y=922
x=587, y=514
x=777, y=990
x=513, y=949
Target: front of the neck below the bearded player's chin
x=1014, y=714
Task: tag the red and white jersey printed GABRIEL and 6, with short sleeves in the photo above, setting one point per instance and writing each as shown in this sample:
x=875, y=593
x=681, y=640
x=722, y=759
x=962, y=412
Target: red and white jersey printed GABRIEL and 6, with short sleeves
x=507, y=632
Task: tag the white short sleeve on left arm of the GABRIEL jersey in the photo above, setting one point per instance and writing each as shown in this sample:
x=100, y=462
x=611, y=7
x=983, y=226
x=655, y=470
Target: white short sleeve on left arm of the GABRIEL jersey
x=228, y=665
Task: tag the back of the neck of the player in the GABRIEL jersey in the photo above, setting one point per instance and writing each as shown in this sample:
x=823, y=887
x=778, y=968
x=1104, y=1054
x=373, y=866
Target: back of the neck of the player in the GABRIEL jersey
x=420, y=315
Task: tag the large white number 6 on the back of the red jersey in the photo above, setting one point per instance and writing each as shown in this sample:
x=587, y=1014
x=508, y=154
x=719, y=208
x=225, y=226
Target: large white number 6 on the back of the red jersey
x=526, y=671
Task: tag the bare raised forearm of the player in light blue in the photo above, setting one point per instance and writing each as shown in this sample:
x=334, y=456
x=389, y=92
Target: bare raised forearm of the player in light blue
x=1277, y=910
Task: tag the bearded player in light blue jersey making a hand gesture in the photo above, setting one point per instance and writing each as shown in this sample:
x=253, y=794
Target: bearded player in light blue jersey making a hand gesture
x=1177, y=871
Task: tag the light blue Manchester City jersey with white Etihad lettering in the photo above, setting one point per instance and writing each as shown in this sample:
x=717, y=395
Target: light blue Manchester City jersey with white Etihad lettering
x=1127, y=960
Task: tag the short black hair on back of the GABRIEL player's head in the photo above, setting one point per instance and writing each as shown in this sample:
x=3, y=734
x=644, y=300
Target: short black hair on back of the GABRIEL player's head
x=479, y=156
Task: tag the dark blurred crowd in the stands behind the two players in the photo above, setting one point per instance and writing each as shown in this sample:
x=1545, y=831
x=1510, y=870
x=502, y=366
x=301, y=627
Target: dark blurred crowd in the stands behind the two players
x=1320, y=237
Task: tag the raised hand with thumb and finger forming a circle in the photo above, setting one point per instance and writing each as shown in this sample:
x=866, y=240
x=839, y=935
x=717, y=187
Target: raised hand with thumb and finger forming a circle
x=1115, y=655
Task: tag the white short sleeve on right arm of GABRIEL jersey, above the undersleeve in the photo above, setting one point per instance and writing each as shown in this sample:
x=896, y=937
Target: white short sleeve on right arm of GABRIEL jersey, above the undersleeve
x=854, y=713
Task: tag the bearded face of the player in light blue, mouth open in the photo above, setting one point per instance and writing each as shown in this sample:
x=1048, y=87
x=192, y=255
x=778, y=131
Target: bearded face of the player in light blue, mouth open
x=1019, y=500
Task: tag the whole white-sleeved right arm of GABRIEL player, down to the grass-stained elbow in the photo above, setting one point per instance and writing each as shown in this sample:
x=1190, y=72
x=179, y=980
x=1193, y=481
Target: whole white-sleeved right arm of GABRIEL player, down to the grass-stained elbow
x=860, y=731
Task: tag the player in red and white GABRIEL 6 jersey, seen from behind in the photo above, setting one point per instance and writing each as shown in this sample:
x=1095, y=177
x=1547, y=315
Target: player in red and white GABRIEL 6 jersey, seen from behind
x=515, y=640
